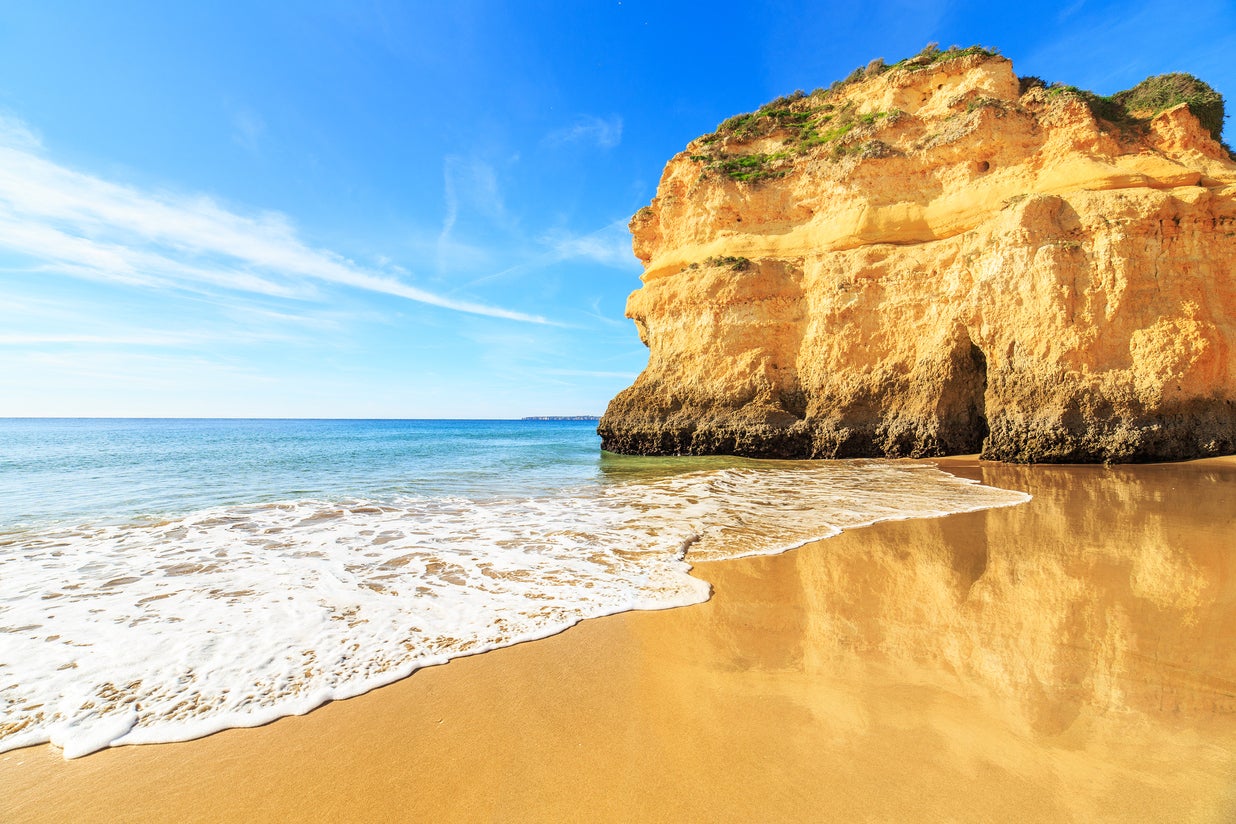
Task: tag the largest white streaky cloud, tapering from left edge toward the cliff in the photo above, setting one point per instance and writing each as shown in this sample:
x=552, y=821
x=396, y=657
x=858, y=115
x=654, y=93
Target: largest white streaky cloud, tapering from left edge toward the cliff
x=86, y=227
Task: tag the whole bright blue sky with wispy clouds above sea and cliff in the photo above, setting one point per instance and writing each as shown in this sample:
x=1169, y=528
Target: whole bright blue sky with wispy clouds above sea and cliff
x=411, y=209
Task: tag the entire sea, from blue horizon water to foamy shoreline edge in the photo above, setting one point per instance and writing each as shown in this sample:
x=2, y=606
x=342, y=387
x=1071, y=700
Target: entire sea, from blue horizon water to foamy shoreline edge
x=163, y=580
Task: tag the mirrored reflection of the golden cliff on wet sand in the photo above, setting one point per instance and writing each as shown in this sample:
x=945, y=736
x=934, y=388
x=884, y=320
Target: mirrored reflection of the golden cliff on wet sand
x=1112, y=594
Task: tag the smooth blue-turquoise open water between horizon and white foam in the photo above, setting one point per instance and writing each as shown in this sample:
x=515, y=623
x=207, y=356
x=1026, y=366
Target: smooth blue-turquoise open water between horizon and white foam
x=104, y=470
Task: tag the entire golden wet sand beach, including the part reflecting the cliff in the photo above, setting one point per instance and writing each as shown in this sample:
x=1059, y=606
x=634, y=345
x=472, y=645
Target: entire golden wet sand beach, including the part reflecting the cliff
x=1069, y=660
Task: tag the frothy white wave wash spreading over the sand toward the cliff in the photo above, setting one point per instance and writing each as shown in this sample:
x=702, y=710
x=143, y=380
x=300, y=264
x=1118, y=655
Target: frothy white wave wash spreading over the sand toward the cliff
x=238, y=616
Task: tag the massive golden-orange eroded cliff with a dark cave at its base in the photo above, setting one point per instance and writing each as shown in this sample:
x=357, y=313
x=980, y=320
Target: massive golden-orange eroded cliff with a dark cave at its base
x=967, y=269
